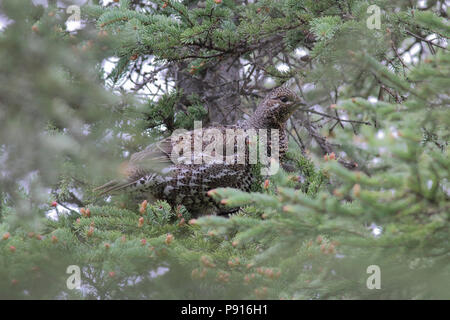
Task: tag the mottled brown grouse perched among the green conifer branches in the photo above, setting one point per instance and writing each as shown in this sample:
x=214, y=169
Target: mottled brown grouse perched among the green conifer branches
x=155, y=172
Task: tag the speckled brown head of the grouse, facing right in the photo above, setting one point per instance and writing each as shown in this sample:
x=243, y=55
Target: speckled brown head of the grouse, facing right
x=276, y=108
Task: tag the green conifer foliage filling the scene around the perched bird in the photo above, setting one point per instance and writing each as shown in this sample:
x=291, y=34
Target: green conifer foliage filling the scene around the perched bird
x=367, y=186
